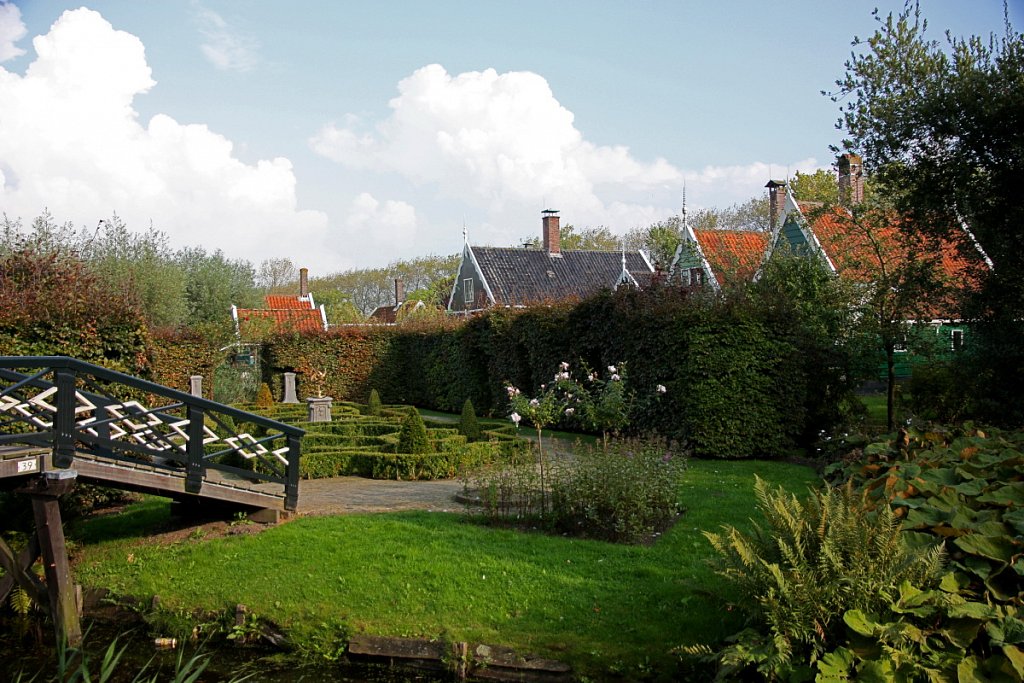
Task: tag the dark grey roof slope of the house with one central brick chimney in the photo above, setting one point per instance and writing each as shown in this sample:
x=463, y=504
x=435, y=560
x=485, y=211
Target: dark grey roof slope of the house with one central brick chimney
x=519, y=277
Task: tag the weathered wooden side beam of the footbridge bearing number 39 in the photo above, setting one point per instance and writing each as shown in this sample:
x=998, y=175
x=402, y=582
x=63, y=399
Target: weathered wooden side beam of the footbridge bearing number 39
x=20, y=462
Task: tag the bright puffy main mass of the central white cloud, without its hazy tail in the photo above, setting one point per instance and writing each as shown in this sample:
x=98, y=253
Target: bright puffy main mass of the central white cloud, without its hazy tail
x=491, y=140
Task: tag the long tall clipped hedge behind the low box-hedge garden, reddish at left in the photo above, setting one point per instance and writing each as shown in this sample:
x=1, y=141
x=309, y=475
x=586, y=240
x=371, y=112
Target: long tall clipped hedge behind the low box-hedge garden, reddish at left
x=745, y=375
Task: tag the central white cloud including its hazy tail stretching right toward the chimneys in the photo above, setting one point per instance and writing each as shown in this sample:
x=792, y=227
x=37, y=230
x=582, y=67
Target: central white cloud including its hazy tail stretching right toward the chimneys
x=502, y=143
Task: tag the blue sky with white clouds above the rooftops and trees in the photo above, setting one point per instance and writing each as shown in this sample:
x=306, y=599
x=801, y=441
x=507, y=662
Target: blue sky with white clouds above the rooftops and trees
x=352, y=135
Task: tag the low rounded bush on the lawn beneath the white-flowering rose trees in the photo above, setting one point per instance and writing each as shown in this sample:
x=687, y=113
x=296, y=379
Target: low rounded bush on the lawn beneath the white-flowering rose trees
x=626, y=493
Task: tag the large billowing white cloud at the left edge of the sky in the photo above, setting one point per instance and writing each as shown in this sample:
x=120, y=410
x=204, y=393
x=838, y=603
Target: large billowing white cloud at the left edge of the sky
x=72, y=142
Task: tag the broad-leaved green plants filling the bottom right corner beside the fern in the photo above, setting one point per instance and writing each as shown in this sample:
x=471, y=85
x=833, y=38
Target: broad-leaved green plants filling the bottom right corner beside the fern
x=963, y=487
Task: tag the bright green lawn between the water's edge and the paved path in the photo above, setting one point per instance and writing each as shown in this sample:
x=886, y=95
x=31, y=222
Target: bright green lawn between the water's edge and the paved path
x=602, y=608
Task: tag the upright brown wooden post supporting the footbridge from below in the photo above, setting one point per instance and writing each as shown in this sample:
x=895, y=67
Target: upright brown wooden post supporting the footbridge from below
x=64, y=608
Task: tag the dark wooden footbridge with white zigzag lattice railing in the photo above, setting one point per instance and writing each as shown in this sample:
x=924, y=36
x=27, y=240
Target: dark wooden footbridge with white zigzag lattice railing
x=64, y=420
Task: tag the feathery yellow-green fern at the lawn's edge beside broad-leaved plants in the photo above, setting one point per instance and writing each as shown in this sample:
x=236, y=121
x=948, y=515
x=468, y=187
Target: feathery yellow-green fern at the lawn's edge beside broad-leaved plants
x=835, y=554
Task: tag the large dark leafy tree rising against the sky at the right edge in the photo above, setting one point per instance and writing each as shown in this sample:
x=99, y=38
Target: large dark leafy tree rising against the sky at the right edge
x=941, y=125
